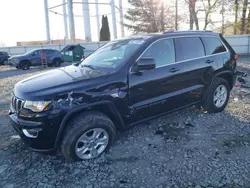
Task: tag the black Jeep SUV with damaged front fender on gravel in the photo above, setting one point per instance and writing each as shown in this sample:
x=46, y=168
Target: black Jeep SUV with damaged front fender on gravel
x=79, y=108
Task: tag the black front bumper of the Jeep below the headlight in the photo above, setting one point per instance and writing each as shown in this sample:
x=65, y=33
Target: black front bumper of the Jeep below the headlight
x=46, y=128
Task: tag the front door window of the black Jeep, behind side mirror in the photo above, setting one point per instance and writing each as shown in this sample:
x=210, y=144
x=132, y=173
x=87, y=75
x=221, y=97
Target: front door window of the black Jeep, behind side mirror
x=162, y=51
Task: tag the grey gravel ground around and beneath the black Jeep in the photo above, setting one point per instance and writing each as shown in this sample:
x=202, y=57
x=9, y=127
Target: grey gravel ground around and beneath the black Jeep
x=189, y=148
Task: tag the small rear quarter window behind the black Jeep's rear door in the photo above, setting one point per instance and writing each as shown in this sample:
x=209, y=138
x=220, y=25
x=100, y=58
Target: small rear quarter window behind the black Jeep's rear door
x=214, y=45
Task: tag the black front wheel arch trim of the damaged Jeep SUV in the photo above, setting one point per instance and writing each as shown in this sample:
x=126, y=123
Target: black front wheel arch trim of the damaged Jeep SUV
x=105, y=107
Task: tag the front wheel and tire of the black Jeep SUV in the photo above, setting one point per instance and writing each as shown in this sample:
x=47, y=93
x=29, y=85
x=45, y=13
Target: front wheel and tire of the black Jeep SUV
x=79, y=128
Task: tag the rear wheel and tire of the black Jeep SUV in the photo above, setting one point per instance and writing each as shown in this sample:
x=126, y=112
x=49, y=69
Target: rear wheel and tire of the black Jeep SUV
x=217, y=88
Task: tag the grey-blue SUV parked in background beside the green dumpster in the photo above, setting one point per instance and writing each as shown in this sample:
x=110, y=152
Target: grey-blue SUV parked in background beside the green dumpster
x=33, y=58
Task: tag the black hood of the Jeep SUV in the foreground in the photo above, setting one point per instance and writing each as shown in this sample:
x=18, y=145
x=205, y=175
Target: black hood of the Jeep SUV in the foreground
x=49, y=84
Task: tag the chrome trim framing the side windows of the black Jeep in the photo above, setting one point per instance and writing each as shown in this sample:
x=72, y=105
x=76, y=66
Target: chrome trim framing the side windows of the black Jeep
x=177, y=62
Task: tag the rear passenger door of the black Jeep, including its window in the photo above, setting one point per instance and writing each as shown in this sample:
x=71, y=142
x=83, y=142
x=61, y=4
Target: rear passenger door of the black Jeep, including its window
x=196, y=69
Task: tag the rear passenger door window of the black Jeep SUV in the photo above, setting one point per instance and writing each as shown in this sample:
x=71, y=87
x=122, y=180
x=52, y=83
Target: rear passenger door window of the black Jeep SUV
x=189, y=48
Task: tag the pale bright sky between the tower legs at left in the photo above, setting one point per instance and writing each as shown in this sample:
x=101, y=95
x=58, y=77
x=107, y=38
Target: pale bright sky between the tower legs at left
x=24, y=20
